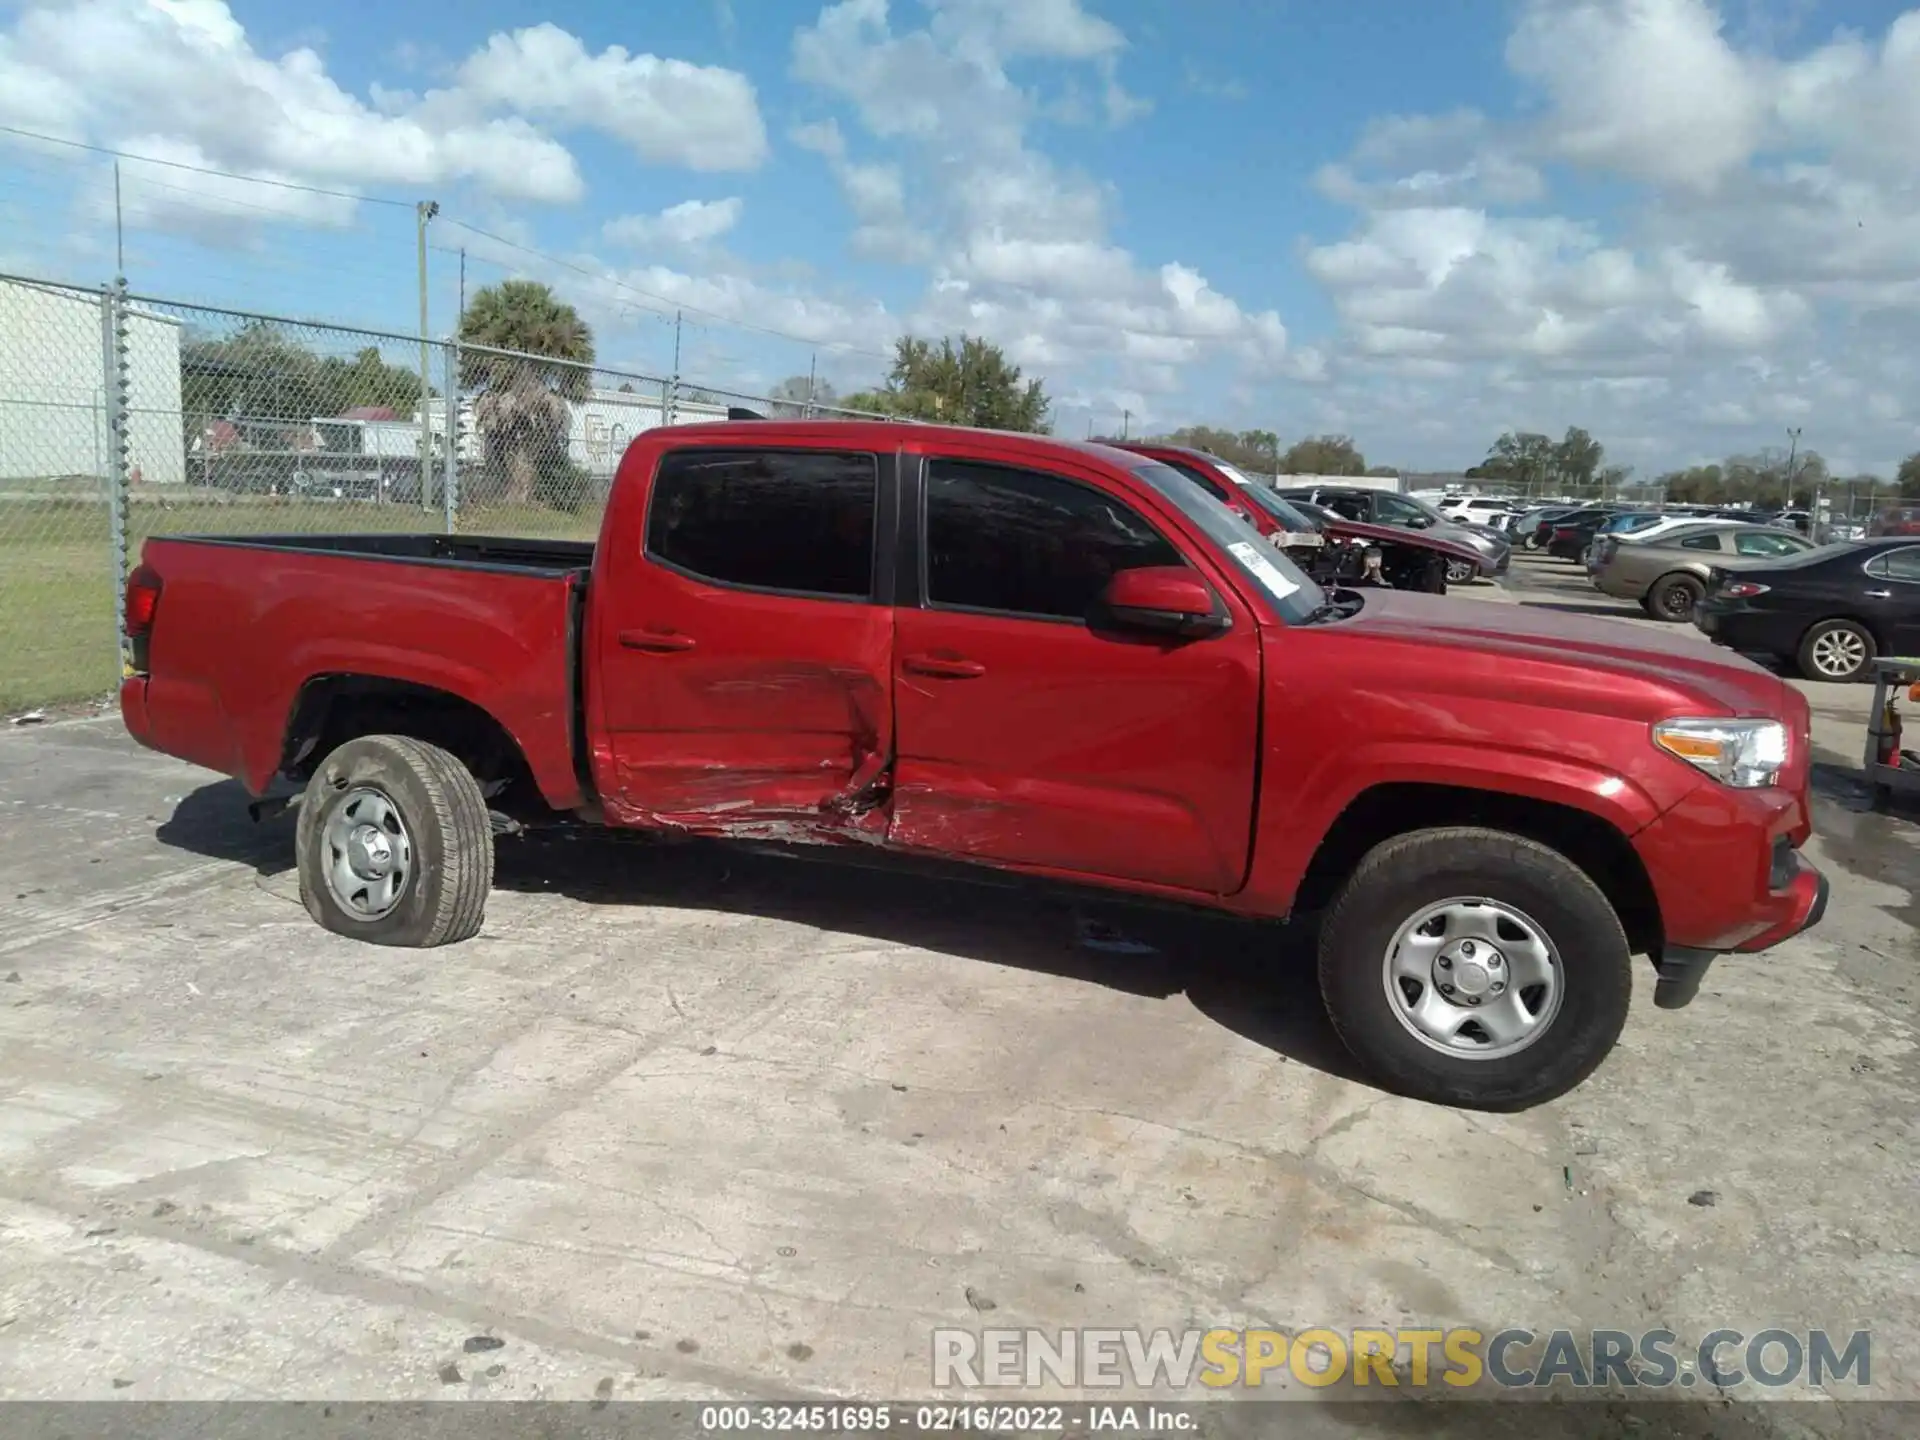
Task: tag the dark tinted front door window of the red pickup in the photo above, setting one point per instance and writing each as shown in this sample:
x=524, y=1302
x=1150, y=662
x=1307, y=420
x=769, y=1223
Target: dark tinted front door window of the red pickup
x=1020, y=542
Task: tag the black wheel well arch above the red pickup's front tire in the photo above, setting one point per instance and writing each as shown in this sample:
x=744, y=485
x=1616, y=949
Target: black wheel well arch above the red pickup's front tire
x=1385, y=811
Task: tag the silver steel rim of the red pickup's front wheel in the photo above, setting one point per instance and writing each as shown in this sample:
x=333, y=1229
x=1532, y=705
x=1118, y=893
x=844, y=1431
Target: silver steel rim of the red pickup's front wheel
x=1474, y=978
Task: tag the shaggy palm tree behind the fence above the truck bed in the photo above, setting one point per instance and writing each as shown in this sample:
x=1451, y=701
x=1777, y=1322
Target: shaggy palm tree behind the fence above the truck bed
x=525, y=398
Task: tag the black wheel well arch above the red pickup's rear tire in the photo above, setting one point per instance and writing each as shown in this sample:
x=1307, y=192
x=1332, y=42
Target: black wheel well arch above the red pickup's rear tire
x=335, y=709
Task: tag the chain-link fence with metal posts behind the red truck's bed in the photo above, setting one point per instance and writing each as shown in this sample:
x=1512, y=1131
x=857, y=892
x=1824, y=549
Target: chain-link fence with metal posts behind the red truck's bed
x=128, y=416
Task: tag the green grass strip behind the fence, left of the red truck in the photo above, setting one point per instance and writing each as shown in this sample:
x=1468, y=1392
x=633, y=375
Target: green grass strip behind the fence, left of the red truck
x=59, y=581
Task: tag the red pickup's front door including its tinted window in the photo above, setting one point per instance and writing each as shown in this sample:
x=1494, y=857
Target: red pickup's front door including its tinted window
x=1028, y=732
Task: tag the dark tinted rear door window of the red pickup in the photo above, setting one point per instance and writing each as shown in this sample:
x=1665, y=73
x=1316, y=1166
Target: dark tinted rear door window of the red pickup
x=796, y=521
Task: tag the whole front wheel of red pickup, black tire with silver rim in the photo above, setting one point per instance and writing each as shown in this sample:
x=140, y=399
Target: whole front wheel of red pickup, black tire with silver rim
x=1541, y=892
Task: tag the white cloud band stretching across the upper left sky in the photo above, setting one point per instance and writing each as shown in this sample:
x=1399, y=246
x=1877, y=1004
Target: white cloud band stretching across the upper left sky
x=185, y=78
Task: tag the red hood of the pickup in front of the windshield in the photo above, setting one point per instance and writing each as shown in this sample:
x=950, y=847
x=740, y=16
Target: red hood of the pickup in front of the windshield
x=1581, y=658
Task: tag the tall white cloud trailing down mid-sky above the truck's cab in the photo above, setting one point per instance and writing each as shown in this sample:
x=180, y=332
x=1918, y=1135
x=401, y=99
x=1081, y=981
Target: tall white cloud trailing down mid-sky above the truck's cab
x=1019, y=247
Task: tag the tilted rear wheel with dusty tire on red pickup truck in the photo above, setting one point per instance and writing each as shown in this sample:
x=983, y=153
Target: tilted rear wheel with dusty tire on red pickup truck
x=383, y=807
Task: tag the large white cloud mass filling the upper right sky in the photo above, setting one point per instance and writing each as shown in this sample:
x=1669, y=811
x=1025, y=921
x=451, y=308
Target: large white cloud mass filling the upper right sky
x=1767, y=226
